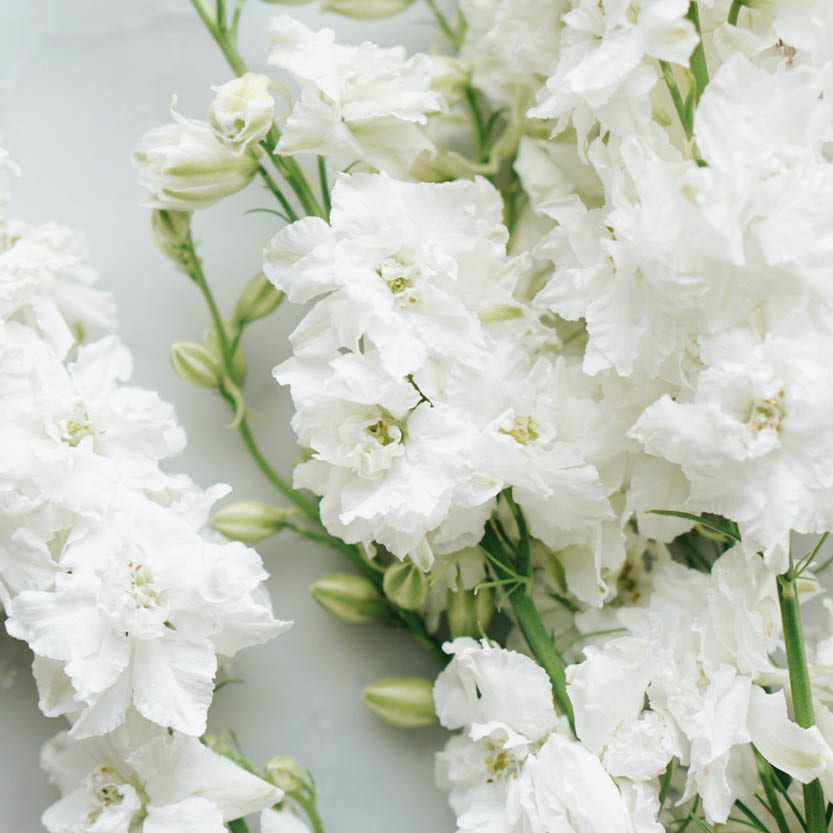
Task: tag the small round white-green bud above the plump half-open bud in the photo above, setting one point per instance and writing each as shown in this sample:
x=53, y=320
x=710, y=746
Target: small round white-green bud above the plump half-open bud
x=242, y=111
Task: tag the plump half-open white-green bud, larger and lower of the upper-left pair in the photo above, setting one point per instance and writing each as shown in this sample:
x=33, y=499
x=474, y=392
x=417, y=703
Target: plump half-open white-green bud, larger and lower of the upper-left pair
x=184, y=167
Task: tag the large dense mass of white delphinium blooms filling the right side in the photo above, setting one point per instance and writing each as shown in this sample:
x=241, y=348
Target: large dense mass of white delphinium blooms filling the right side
x=615, y=299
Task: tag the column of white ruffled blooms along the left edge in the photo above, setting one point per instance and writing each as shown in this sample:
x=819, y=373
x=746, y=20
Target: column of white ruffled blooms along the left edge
x=105, y=569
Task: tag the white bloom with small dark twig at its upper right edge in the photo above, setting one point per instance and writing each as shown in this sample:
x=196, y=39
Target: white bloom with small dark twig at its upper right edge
x=390, y=466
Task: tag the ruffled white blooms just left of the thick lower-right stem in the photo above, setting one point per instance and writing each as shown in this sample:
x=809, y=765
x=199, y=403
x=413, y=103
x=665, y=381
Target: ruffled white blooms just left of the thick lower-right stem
x=696, y=647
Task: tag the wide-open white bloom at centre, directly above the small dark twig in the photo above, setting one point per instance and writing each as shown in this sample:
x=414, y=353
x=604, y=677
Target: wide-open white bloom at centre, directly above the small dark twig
x=411, y=267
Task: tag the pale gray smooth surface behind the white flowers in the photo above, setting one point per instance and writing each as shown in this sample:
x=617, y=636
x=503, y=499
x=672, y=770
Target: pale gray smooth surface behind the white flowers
x=79, y=84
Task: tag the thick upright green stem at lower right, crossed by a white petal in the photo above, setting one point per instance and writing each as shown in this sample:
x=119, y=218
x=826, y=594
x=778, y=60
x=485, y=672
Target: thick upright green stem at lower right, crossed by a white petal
x=802, y=694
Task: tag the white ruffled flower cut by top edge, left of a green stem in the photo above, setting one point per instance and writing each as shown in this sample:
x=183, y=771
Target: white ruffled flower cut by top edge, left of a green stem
x=605, y=71
